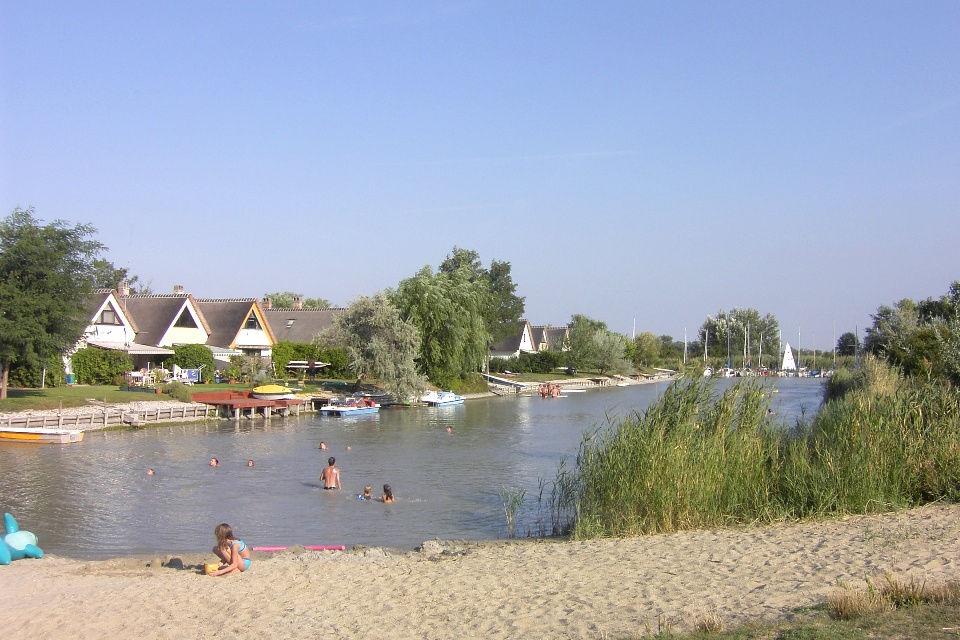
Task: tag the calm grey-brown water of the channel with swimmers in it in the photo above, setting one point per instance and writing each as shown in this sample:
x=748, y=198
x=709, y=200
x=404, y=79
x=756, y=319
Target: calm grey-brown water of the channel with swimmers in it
x=94, y=499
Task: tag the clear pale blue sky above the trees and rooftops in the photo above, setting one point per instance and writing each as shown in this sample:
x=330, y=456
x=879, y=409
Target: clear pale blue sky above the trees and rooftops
x=647, y=161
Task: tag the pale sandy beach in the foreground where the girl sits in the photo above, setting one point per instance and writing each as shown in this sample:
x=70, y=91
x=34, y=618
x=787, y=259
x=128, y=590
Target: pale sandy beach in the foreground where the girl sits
x=531, y=589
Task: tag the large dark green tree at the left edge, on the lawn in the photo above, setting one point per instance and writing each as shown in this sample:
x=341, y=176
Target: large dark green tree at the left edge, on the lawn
x=46, y=273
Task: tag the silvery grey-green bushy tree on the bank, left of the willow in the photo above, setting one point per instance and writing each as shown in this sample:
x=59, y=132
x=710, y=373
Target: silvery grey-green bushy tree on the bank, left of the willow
x=380, y=344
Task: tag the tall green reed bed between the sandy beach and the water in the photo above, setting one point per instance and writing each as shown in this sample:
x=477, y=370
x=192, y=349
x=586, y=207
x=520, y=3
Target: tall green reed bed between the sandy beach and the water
x=698, y=459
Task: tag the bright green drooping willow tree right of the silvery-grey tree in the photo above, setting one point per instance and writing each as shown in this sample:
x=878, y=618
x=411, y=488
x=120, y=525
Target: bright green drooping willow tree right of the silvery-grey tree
x=448, y=310
